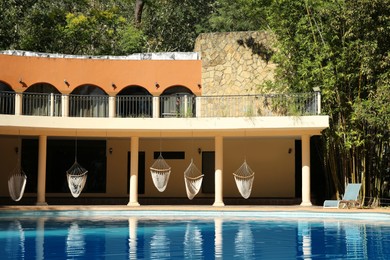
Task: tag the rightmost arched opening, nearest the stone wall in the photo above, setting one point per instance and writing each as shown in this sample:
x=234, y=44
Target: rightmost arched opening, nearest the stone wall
x=177, y=101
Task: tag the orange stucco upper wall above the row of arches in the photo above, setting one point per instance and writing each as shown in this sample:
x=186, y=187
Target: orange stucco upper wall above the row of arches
x=100, y=72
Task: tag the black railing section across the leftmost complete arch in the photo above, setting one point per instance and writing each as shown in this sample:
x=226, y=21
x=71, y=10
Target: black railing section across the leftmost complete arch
x=41, y=104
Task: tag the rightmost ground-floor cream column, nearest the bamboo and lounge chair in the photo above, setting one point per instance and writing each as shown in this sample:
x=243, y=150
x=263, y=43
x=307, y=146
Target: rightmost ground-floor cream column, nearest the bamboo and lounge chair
x=306, y=171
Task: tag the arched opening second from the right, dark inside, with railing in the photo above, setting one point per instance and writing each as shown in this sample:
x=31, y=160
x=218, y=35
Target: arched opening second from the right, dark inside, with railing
x=134, y=101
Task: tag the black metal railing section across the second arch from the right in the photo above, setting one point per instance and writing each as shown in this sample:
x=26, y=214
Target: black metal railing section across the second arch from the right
x=134, y=106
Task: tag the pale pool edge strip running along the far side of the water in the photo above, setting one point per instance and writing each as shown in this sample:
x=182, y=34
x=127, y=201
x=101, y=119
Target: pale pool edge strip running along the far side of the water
x=285, y=212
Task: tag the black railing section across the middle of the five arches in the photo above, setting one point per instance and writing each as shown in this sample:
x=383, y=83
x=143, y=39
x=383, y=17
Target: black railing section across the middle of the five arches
x=88, y=106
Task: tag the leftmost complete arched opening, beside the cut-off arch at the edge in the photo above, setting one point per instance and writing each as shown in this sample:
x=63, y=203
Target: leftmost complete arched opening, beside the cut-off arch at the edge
x=41, y=99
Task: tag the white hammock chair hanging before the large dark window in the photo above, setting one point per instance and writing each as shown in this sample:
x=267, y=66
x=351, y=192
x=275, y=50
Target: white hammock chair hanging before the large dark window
x=77, y=177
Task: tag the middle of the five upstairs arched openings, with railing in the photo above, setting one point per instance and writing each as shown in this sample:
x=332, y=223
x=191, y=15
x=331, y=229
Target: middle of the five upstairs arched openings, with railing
x=88, y=101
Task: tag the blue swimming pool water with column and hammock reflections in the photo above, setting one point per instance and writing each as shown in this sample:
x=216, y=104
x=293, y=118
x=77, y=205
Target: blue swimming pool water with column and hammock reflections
x=115, y=235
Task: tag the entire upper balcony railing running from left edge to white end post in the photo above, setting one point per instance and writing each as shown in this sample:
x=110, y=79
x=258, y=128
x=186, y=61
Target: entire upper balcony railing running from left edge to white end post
x=177, y=105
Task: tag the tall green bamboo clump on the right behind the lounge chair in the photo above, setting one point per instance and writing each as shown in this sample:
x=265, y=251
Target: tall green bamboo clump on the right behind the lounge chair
x=343, y=47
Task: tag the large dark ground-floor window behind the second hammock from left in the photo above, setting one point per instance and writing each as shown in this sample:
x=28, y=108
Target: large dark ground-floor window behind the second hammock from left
x=60, y=157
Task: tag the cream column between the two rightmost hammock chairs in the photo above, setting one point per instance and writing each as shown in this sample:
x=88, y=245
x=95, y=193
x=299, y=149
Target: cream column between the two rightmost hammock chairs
x=218, y=171
